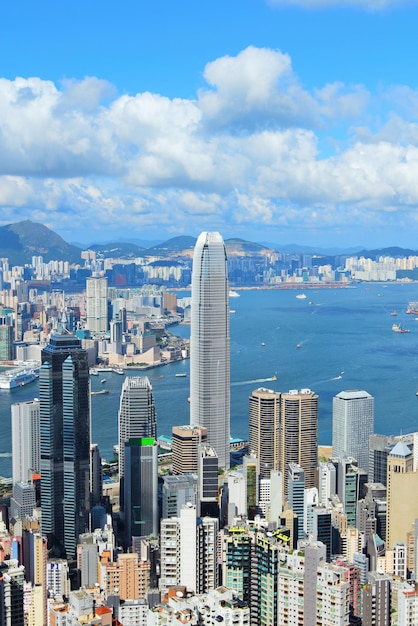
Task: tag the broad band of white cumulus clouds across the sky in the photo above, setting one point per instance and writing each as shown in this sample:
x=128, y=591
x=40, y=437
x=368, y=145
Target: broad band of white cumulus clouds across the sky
x=247, y=150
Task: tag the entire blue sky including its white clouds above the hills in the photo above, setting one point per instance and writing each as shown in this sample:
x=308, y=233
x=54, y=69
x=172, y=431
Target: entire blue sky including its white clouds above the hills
x=288, y=121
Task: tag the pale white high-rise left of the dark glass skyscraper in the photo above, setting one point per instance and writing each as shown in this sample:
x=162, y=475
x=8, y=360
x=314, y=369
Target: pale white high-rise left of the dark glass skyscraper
x=25, y=440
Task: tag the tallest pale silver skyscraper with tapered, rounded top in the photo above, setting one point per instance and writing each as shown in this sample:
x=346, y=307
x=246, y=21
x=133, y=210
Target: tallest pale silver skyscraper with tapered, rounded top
x=210, y=344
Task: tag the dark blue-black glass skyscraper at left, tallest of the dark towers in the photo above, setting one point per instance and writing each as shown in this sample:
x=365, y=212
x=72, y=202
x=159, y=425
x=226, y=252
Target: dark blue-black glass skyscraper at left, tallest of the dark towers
x=65, y=443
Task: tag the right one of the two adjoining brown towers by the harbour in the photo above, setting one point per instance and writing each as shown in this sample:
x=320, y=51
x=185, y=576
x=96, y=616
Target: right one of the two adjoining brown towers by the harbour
x=298, y=441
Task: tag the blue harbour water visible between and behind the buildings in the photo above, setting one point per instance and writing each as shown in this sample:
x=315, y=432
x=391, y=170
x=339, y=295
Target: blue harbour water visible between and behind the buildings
x=346, y=342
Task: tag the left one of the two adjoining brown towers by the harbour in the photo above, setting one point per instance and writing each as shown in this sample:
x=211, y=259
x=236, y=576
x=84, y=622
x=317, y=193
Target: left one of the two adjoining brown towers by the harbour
x=264, y=409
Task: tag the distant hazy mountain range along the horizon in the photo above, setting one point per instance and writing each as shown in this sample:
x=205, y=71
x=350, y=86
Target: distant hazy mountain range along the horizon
x=21, y=241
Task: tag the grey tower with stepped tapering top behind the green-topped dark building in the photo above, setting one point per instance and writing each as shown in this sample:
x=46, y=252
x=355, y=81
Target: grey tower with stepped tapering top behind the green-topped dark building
x=137, y=416
